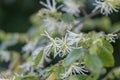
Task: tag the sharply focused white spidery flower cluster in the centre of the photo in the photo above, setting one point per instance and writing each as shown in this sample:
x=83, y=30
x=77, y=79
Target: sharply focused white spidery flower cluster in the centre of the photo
x=65, y=45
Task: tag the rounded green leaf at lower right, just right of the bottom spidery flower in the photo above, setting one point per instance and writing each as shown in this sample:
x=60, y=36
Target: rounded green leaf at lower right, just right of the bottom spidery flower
x=93, y=63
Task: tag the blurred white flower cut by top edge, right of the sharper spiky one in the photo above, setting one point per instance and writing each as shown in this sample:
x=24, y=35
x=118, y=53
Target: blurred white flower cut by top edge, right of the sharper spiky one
x=71, y=7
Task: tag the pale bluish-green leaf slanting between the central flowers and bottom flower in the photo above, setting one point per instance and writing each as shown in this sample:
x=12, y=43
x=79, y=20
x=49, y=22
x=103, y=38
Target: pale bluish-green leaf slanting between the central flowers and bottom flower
x=73, y=56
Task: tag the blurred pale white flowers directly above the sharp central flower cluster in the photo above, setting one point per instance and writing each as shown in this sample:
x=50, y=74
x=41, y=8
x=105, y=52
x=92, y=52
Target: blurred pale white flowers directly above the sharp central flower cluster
x=52, y=25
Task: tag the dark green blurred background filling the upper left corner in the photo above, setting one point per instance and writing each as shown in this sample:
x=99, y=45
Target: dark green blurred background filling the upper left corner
x=15, y=14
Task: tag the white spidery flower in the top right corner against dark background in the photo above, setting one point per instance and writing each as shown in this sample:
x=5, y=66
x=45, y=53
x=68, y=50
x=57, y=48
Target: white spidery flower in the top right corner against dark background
x=105, y=7
